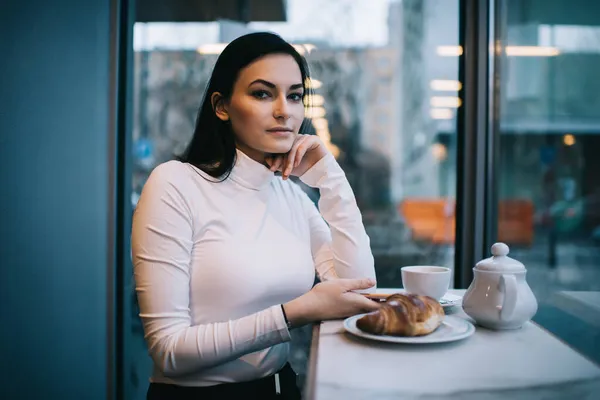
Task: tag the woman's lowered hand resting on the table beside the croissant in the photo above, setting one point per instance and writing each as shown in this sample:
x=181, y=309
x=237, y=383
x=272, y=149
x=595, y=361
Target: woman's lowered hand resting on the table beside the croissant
x=332, y=299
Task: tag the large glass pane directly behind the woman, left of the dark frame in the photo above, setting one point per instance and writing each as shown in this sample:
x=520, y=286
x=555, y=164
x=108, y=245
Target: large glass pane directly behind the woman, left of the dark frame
x=385, y=79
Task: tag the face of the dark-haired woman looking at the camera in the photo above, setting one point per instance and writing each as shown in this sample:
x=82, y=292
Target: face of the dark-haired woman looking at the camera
x=266, y=108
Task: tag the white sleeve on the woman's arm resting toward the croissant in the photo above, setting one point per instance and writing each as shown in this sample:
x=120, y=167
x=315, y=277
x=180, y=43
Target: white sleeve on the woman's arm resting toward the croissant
x=162, y=243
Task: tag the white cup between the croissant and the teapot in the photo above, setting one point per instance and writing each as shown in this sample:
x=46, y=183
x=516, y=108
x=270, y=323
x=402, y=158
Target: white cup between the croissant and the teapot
x=426, y=280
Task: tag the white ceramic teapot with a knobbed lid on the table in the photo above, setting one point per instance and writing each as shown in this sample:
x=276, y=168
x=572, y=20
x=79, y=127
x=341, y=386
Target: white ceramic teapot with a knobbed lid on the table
x=499, y=296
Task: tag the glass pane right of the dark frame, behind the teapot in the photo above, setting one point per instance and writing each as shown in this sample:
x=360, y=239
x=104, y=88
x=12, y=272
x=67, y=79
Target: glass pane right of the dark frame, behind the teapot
x=549, y=206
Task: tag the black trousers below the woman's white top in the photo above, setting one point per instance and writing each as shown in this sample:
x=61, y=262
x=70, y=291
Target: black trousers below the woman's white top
x=260, y=389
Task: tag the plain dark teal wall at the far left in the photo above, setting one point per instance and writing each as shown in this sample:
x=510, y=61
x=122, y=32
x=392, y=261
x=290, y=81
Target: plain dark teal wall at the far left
x=56, y=199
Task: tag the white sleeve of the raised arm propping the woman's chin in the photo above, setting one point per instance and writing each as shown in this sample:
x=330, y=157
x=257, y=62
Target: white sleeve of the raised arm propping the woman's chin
x=340, y=247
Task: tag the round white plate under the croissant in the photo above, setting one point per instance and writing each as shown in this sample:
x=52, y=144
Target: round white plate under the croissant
x=451, y=329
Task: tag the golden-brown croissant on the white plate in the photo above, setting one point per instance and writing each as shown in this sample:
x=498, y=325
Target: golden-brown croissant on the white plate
x=403, y=315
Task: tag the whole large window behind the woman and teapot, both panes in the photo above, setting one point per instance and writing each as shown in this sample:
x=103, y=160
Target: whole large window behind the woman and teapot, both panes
x=387, y=94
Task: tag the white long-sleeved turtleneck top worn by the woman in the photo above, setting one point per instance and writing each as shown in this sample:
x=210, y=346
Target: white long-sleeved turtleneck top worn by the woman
x=214, y=261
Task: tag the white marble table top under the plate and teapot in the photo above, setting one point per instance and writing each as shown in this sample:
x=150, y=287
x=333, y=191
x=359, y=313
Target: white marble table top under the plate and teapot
x=528, y=363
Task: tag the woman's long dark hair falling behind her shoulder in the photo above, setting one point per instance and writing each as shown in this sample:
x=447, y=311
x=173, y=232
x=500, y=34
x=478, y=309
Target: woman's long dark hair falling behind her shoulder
x=212, y=148
